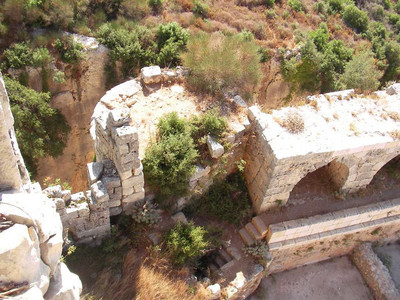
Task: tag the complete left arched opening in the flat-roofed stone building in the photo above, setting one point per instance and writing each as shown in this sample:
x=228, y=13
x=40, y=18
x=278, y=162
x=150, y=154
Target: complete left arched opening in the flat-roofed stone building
x=324, y=182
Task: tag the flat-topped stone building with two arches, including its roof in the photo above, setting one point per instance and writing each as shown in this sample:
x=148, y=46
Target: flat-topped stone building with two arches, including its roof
x=351, y=137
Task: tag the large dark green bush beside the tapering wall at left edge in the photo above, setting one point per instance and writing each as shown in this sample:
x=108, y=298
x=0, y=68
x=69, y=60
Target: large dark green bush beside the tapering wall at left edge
x=40, y=129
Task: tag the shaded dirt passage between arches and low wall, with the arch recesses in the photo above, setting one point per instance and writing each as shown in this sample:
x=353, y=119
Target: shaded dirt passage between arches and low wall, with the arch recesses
x=313, y=195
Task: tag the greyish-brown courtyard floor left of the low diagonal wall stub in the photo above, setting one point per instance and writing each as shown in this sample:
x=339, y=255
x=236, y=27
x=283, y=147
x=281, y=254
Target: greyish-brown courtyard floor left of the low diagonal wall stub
x=328, y=280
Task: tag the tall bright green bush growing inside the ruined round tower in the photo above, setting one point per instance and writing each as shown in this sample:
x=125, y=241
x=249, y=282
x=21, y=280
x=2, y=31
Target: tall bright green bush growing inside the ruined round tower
x=171, y=160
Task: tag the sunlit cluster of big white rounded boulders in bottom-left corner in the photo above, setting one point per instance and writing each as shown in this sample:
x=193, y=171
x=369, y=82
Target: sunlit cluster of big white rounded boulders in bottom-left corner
x=30, y=248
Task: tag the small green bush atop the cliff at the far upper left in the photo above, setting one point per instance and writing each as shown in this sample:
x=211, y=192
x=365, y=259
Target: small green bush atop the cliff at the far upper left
x=21, y=55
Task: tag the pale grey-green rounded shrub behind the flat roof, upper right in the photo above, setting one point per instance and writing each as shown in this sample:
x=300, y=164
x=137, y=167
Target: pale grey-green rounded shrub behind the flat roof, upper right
x=361, y=73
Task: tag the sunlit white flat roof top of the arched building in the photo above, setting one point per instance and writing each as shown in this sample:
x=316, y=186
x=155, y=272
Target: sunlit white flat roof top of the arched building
x=338, y=121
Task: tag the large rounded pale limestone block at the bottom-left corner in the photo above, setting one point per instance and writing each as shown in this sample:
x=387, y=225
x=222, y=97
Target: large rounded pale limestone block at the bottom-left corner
x=20, y=257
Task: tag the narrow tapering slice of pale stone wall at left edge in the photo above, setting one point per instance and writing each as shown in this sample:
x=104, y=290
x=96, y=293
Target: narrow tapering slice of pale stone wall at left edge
x=13, y=173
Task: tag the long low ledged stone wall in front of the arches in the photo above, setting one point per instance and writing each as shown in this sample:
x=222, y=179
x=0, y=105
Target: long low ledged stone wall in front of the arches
x=302, y=241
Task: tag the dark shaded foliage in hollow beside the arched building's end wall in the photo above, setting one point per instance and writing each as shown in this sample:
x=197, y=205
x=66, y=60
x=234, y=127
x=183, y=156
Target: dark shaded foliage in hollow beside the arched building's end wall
x=226, y=200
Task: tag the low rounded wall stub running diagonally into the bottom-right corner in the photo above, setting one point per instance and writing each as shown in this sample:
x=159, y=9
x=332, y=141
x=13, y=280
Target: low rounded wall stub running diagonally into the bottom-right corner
x=375, y=274
